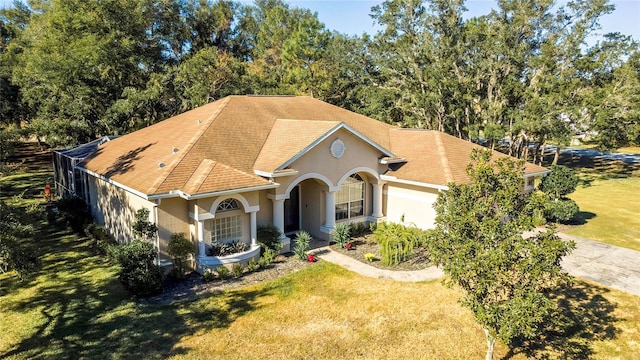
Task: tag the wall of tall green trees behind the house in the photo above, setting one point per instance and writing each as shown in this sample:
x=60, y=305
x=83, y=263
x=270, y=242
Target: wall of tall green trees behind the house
x=72, y=70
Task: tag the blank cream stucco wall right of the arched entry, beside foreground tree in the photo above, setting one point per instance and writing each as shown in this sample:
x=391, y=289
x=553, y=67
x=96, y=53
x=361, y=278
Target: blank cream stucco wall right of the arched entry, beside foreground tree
x=412, y=202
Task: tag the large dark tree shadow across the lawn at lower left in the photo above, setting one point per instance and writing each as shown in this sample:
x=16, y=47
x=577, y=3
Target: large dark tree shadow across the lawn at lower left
x=86, y=315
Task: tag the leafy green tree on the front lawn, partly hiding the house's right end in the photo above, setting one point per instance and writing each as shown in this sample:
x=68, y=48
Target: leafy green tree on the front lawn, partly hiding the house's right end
x=478, y=242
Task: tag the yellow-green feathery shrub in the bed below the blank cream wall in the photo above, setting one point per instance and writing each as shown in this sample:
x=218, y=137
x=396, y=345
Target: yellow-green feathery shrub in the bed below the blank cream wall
x=396, y=242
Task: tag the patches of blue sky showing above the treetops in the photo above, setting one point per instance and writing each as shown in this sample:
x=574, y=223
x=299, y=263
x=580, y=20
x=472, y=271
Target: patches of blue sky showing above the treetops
x=352, y=16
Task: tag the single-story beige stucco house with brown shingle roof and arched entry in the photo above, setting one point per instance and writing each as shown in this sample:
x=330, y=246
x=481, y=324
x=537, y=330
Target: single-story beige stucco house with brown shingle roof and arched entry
x=220, y=171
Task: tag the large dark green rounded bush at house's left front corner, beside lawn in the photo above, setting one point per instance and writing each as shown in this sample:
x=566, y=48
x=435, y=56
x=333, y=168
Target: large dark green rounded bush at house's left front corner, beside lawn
x=138, y=273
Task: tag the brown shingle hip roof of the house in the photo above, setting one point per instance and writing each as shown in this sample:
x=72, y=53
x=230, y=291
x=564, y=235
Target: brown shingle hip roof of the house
x=218, y=146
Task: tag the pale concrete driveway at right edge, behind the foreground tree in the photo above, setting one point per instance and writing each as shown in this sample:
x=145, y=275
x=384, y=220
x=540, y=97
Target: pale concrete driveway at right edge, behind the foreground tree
x=605, y=264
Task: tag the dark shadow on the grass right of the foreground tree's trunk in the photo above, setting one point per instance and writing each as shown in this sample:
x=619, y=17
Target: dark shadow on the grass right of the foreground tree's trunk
x=583, y=317
